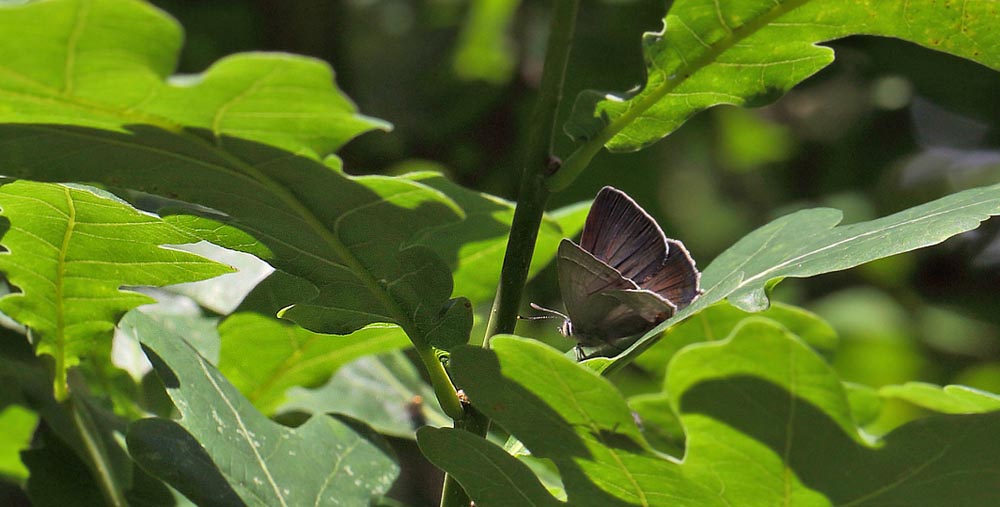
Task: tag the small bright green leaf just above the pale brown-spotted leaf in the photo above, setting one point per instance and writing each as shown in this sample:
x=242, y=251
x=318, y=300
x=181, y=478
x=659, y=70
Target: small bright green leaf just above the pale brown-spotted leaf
x=263, y=357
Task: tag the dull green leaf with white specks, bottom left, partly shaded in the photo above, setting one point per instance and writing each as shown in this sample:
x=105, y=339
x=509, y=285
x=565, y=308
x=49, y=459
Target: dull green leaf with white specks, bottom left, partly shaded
x=223, y=447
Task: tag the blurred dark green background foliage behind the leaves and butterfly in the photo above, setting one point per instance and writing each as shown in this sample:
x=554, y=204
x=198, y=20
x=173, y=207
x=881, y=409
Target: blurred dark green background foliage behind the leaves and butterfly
x=887, y=126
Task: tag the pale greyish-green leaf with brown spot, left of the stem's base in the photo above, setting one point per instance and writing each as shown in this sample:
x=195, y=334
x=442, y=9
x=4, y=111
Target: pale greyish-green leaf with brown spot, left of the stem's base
x=385, y=391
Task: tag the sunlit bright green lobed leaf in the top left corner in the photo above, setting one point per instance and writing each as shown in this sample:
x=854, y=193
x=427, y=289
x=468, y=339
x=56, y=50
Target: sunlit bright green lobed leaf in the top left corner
x=103, y=64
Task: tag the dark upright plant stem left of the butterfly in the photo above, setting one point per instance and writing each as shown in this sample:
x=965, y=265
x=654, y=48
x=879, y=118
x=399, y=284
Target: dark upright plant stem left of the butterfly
x=531, y=199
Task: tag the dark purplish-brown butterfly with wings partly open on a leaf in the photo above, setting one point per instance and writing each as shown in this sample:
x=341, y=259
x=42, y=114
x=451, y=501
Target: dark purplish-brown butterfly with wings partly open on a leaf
x=624, y=277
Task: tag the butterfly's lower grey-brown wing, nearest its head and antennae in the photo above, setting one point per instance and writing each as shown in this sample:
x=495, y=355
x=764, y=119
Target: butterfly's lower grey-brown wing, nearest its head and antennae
x=602, y=304
